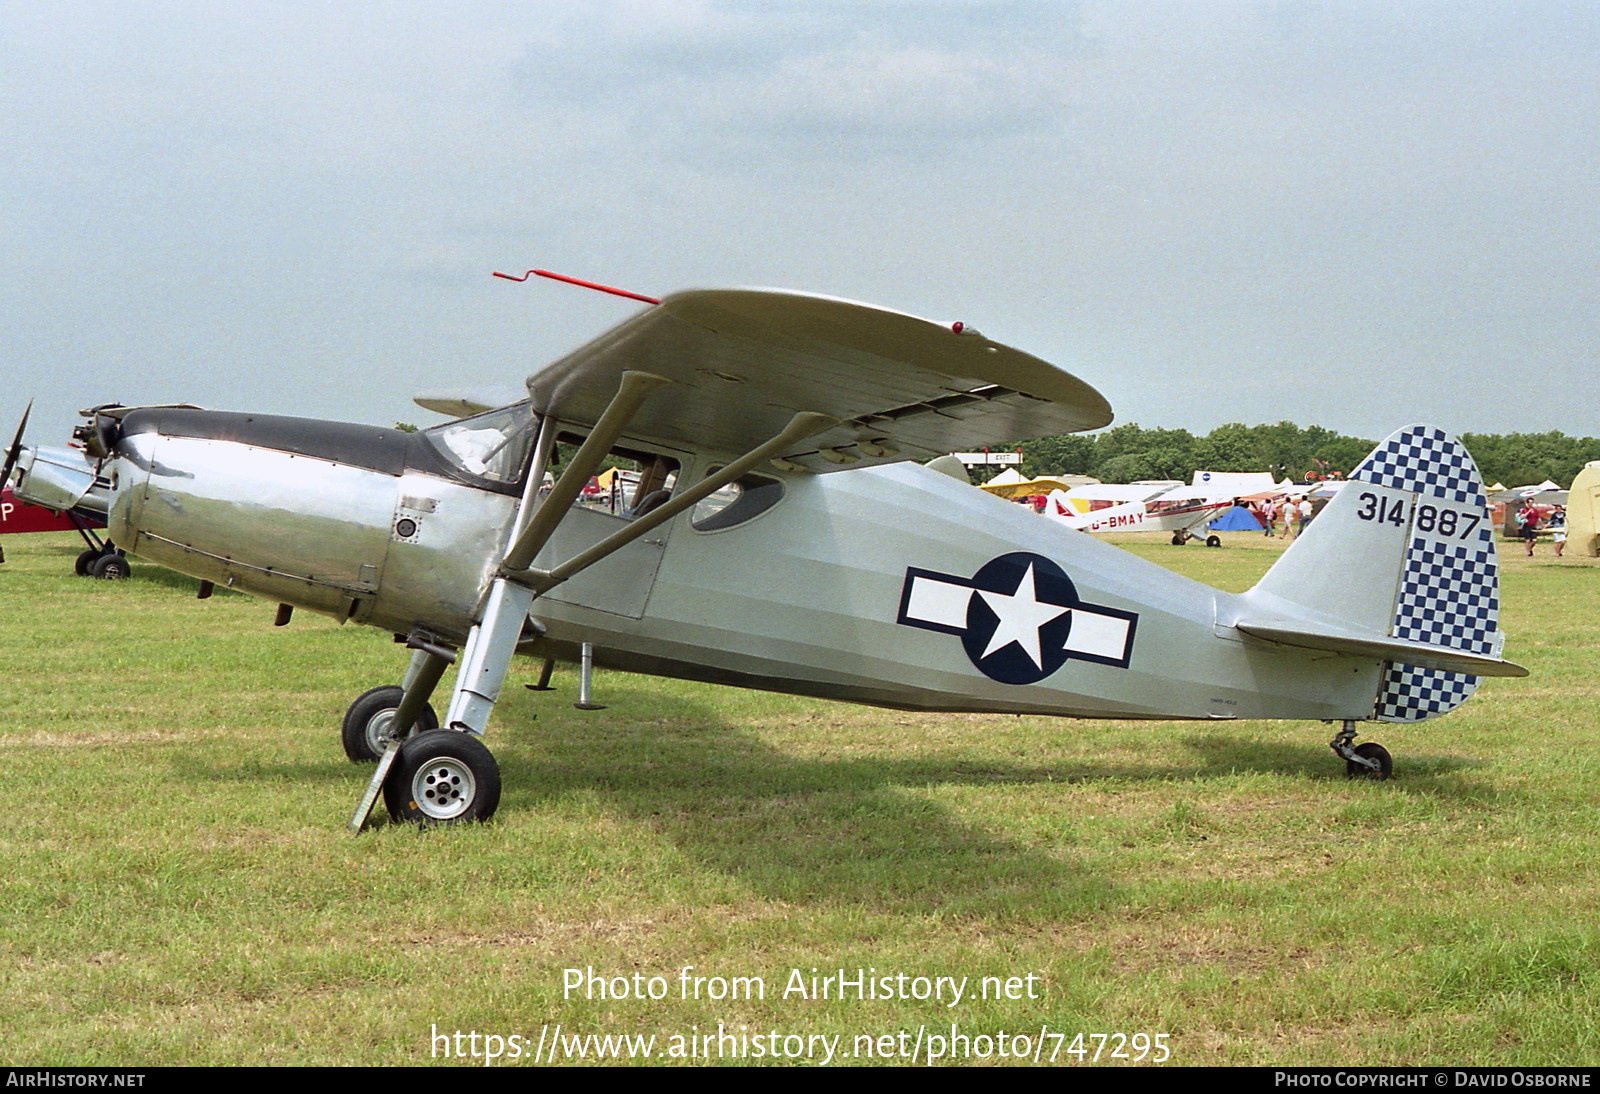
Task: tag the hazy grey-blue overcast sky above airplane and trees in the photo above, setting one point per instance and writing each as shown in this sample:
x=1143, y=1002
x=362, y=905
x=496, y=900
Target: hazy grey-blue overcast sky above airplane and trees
x=1342, y=212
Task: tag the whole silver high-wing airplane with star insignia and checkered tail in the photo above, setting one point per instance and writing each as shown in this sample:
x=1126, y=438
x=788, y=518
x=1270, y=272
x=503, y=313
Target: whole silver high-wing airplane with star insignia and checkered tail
x=782, y=535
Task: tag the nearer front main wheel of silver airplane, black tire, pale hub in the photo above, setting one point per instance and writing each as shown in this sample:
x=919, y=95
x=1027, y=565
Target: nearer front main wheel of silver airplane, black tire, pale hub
x=442, y=777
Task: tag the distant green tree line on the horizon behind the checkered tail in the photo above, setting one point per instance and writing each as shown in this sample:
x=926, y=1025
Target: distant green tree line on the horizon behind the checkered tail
x=1129, y=453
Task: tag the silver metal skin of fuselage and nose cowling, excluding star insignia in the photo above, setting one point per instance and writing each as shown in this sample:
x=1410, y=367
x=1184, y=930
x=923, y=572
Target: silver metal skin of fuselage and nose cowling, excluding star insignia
x=807, y=597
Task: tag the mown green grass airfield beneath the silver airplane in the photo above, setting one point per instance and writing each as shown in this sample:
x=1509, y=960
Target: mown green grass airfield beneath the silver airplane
x=180, y=887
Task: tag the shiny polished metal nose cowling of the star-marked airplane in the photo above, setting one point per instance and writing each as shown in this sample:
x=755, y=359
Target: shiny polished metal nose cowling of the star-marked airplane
x=311, y=532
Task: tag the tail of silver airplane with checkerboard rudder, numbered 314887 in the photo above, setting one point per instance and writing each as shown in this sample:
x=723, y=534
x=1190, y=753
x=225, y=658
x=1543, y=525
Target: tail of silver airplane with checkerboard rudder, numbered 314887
x=1399, y=567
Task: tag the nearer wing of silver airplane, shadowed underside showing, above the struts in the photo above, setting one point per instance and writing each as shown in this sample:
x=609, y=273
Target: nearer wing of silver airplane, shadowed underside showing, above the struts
x=742, y=362
